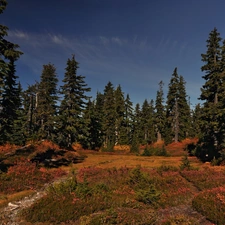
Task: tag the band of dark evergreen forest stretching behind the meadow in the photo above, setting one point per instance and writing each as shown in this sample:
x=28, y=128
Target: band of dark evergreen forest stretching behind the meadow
x=67, y=114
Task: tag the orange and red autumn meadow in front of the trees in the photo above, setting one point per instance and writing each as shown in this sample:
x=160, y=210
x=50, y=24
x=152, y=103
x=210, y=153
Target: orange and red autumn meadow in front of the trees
x=119, y=188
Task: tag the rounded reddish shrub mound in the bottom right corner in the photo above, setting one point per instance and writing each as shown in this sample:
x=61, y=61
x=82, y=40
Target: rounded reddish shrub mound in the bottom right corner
x=211, y=203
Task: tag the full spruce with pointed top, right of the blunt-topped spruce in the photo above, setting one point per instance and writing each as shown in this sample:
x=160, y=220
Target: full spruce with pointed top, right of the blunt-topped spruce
x=71, y=124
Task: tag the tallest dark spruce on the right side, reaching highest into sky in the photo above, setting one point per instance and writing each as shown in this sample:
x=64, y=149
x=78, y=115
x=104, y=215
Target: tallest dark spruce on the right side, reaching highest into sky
x=212, y=93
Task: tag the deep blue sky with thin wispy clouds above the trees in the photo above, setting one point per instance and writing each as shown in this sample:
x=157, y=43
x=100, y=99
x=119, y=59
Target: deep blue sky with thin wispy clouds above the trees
x=134, y=43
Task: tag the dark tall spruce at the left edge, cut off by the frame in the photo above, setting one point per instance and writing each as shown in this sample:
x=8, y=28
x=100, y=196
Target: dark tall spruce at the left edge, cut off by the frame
x=9, y=101
